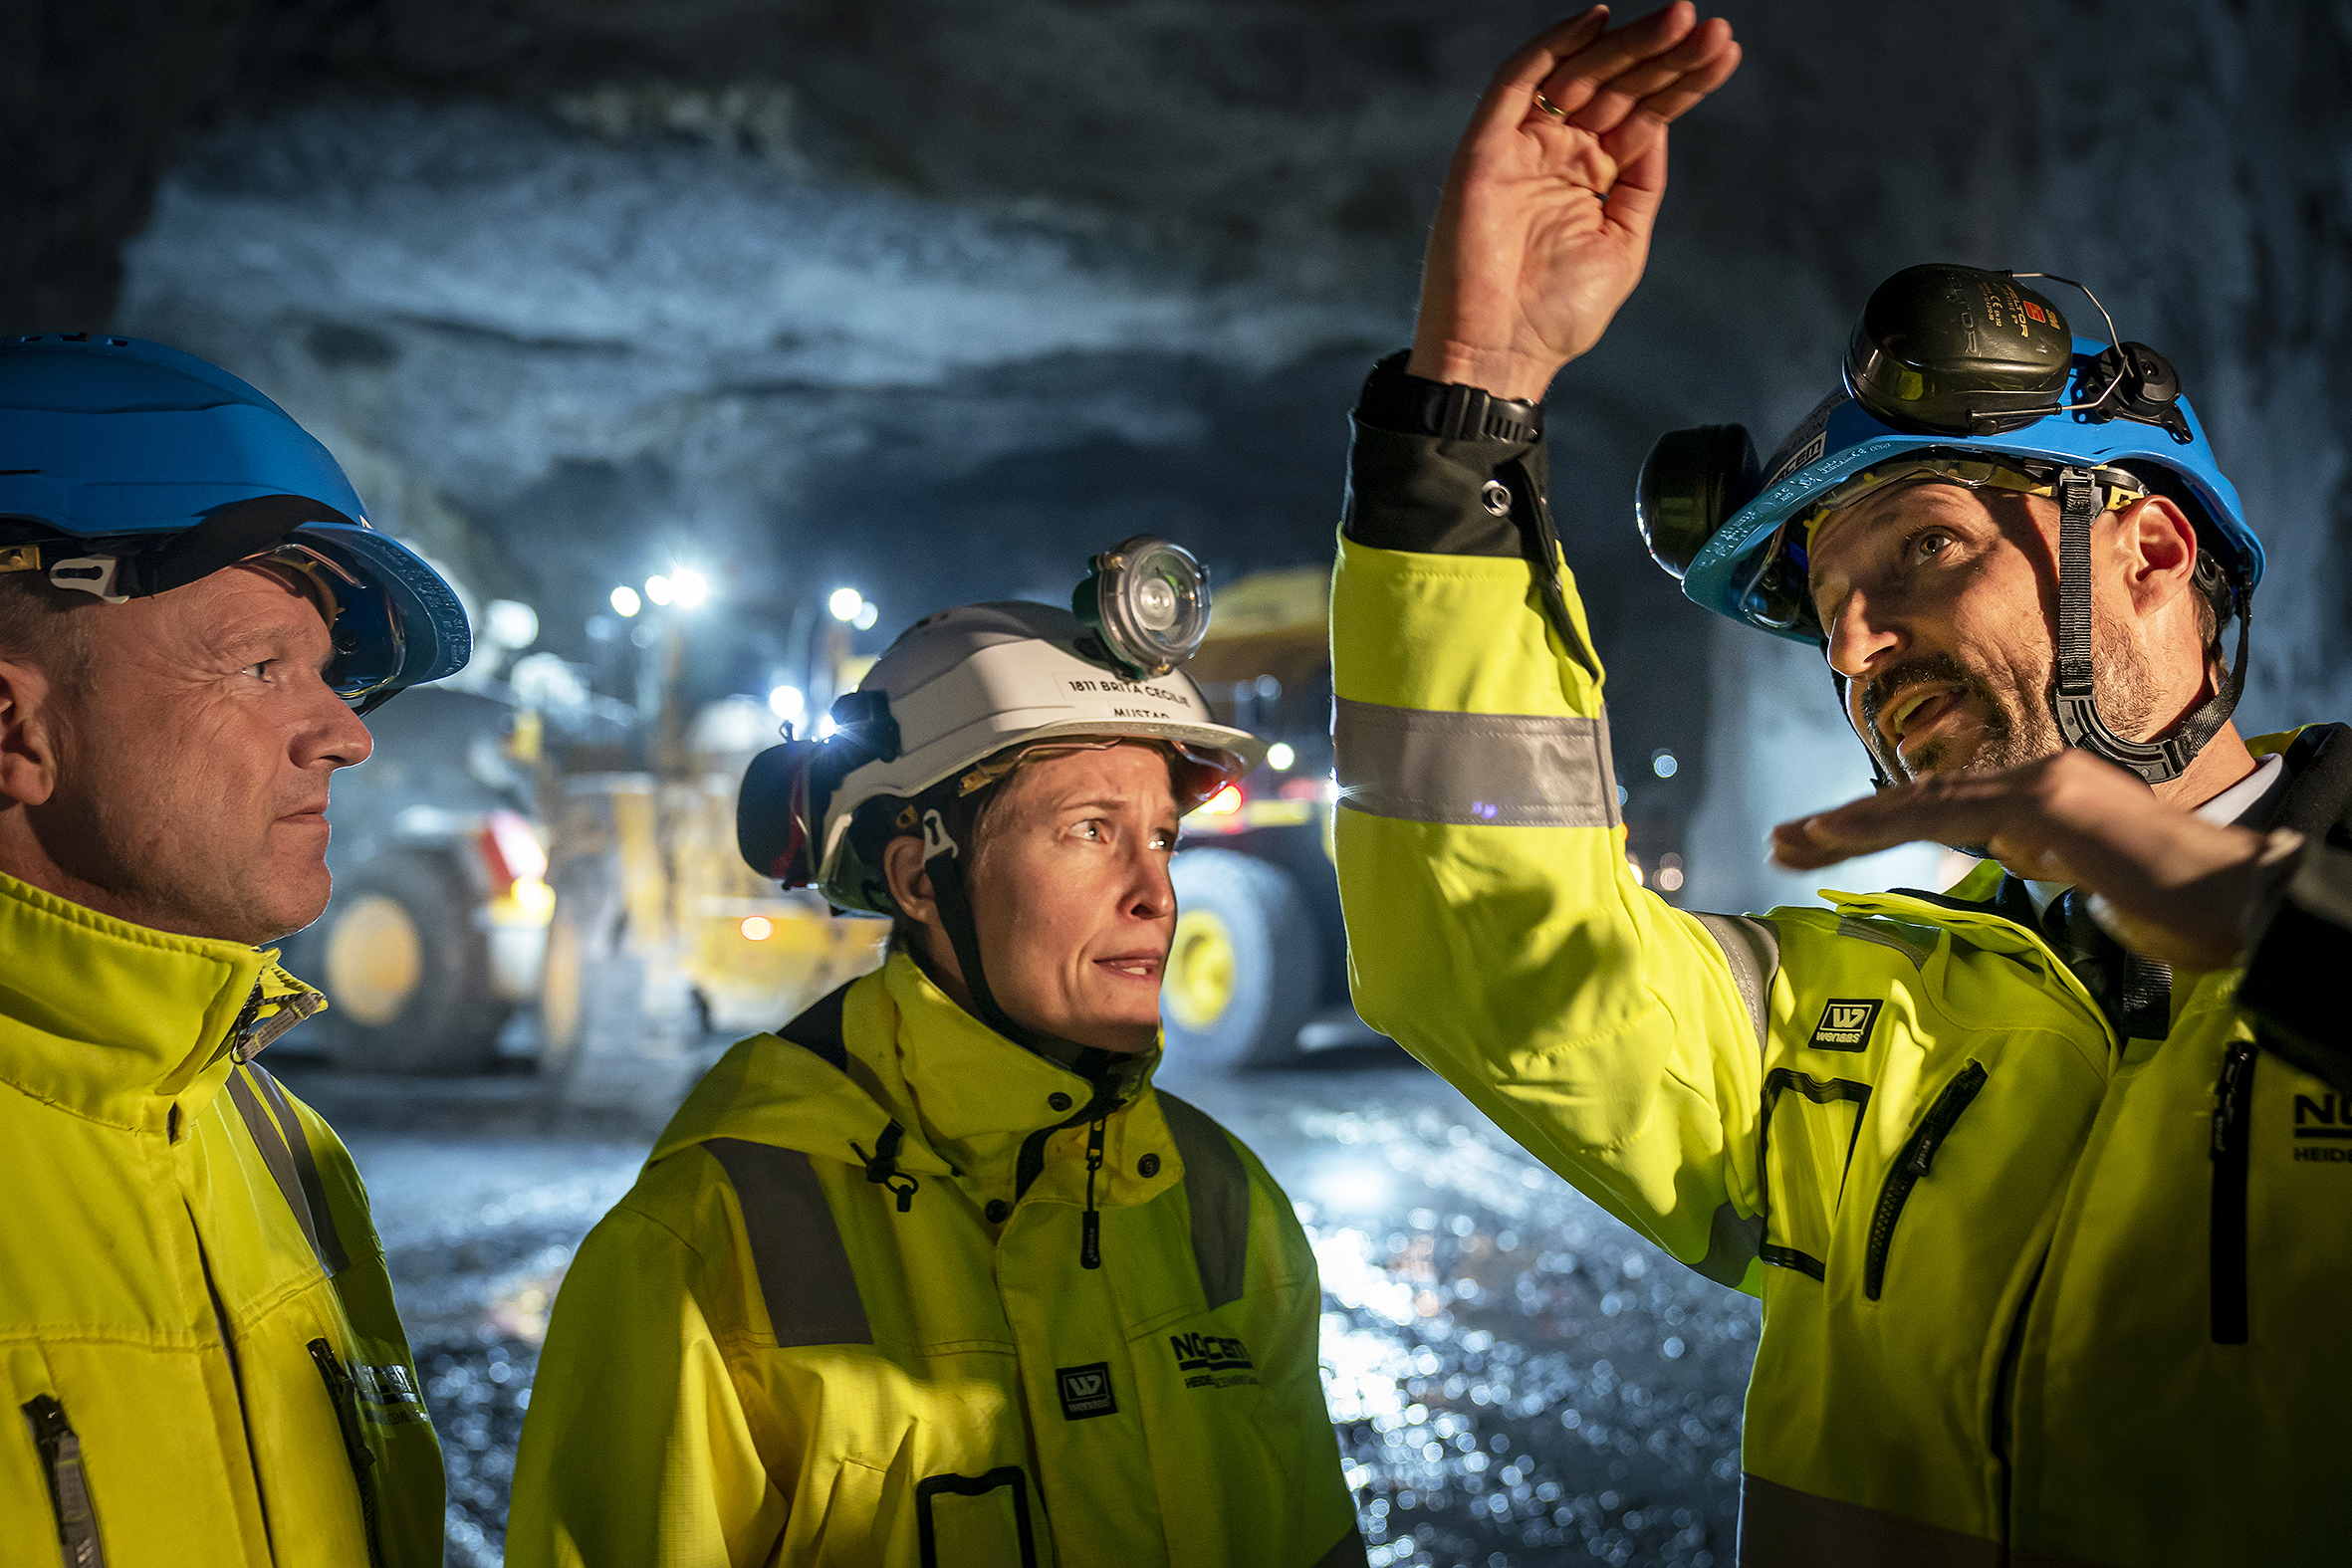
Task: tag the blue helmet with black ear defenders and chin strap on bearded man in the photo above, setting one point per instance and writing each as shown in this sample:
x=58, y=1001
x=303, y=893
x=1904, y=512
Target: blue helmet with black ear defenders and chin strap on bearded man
x=1965, y=377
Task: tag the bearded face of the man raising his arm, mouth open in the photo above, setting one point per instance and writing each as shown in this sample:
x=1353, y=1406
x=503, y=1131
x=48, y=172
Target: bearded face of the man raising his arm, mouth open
x=1939, y=605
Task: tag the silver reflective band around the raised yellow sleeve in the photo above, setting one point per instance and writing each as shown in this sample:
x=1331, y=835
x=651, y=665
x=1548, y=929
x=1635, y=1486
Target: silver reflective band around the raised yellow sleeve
x=1476, y=770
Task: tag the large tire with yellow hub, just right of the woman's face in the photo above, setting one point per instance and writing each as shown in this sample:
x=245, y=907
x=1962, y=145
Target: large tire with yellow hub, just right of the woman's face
x=1245, y=967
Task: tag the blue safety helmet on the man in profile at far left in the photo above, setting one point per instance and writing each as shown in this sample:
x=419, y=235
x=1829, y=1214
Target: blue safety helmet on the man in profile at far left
x=131, y=469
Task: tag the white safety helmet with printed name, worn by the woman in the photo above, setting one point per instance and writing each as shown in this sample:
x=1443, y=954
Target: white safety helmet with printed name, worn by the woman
x=958, y=690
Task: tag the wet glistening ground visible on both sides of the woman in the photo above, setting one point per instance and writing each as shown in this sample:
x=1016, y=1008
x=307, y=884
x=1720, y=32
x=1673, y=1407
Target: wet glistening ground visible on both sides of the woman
x=1514, y=1374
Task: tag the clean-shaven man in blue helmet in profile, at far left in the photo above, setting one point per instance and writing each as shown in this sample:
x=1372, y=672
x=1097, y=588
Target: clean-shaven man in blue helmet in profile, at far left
x=199, y=1348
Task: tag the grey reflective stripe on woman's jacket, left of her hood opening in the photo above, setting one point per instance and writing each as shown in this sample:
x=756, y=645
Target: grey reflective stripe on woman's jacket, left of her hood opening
x=796, y=1247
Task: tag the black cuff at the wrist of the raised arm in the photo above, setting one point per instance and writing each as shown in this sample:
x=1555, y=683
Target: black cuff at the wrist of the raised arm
x=1436, y=497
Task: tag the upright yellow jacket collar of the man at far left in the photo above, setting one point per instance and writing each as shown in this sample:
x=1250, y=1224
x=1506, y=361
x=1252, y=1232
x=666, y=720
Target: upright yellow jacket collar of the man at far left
x=121, y=1021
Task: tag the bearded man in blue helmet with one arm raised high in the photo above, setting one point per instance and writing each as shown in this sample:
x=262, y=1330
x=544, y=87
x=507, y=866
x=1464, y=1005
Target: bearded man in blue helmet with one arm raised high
x=2040, y=1179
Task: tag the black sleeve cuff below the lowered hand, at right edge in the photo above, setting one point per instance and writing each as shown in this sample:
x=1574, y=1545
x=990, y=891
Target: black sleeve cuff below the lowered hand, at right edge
x=2299, y=949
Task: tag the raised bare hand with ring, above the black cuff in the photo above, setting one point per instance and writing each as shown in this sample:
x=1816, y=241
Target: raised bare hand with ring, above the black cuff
x=1553, y=194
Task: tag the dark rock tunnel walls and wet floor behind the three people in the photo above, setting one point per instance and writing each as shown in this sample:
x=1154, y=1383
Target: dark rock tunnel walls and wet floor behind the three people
x=940, y=300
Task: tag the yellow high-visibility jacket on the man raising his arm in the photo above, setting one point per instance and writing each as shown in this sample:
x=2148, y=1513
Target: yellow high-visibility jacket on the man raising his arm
x=2033, y=1292
